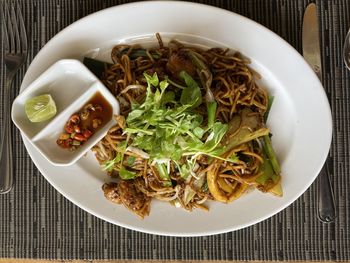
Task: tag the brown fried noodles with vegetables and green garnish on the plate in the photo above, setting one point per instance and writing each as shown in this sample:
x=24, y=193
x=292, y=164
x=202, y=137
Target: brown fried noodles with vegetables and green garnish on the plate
x=191, y=127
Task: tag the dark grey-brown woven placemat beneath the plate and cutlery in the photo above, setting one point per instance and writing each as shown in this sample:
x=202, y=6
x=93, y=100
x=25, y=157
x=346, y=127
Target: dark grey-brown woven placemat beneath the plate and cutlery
x=37, y=222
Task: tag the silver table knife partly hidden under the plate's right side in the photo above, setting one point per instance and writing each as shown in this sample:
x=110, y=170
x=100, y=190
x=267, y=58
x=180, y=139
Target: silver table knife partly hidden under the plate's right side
x=311, y=52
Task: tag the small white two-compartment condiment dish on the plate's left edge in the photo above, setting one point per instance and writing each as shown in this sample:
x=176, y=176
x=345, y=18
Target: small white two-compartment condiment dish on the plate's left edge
x=71, y=85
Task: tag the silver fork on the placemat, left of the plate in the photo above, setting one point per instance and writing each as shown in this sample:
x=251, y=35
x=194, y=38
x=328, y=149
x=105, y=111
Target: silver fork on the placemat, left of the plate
x=16, y=48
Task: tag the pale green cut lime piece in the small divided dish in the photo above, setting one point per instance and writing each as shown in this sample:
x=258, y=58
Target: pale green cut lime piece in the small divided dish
x=40, y=108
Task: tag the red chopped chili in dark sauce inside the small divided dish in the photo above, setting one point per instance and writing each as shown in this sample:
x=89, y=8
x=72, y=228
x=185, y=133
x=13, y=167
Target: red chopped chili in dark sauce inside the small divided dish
x=85, y=122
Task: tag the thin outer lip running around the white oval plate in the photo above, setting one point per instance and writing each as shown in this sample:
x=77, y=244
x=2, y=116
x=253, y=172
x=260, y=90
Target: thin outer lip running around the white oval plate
x=180, y=234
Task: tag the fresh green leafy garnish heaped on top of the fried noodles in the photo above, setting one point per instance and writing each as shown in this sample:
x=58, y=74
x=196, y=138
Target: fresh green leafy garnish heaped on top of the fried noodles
x=170, y=130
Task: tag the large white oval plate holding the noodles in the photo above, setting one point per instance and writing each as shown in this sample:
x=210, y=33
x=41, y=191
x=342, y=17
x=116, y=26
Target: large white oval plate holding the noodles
x=300, y=118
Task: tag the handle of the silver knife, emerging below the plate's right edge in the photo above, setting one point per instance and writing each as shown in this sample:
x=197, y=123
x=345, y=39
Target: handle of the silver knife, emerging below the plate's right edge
x=326, y=205
